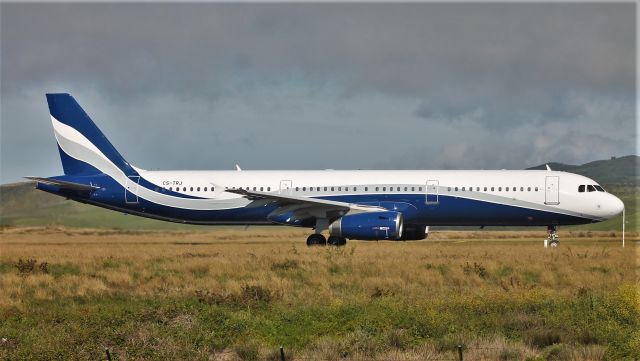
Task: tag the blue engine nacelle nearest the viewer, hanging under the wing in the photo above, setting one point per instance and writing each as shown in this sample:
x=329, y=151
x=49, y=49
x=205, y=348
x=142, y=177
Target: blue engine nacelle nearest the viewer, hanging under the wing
x=368, y=226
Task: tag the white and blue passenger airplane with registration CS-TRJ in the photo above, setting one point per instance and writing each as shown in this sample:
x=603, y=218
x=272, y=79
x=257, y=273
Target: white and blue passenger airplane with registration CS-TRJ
x=349, y=204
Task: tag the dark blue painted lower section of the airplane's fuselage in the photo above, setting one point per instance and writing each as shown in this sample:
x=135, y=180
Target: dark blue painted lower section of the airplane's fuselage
x=451, y=210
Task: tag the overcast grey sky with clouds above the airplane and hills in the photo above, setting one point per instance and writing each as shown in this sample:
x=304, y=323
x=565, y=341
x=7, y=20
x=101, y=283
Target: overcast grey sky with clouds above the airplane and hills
x=313, y=86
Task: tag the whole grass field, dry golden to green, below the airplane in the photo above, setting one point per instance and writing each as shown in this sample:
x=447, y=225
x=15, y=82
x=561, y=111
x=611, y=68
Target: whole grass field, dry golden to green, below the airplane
x=230, y=294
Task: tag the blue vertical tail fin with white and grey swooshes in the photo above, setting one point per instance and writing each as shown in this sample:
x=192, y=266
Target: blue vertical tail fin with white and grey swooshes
x=84, y=150
